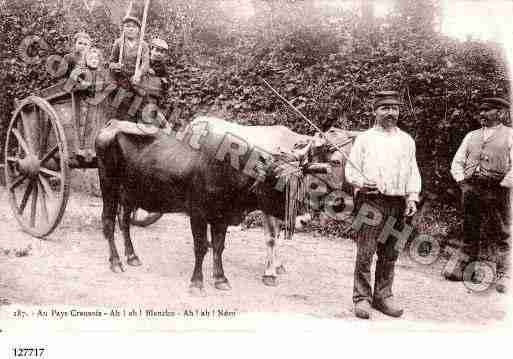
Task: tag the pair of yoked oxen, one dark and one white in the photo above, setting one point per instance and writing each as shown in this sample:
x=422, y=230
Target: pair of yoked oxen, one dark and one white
x=216, y=172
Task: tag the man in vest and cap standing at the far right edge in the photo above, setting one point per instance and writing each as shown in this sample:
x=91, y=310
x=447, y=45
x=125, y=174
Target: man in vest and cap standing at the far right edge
x=482, y=169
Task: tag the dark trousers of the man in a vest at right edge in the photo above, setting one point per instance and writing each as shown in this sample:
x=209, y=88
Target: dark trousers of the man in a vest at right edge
x=486, y=220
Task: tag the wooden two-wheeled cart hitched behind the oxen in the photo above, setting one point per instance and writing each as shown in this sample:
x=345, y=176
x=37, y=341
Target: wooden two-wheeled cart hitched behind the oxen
x=50, y=133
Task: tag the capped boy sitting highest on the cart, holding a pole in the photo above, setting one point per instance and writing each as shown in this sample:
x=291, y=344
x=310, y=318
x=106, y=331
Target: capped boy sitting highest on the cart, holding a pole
x=126, y=47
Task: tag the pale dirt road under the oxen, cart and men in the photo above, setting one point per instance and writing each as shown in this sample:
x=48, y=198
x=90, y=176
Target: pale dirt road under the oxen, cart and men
x=70, y=267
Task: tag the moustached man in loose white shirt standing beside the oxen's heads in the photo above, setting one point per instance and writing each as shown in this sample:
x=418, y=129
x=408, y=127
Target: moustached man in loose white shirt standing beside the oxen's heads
x=384, y=173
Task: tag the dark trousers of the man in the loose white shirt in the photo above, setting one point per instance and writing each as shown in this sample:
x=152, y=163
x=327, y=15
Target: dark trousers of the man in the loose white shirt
x=367, y=245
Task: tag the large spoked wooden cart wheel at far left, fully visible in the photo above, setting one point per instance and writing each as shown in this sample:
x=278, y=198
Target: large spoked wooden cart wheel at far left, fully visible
x=36, y=166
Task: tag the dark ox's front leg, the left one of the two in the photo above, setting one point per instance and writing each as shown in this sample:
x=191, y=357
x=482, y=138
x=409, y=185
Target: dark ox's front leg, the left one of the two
x=199, y=234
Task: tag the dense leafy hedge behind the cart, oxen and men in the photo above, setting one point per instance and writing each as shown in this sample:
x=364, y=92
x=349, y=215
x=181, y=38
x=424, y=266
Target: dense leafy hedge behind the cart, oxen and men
x=327, y=61
